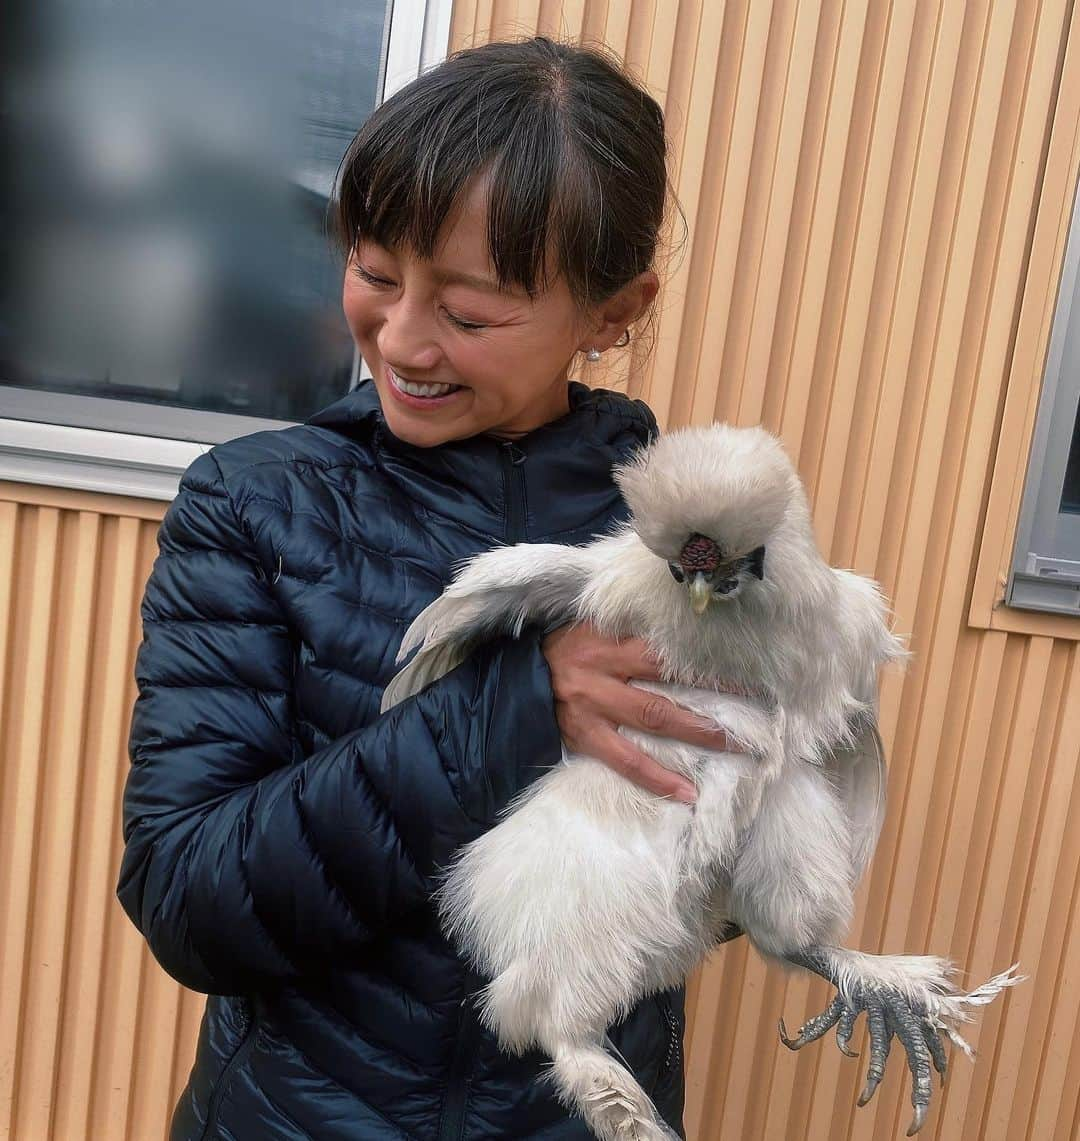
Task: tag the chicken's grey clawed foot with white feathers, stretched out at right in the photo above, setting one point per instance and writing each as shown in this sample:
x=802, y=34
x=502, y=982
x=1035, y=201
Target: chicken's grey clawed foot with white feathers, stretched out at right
x=910, y=997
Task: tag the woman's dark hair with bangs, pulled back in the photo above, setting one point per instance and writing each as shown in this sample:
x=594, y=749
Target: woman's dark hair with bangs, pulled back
x=574, y=147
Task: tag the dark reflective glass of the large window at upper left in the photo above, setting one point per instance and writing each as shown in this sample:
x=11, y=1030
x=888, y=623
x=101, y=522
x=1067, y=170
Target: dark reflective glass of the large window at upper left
x=166, y=226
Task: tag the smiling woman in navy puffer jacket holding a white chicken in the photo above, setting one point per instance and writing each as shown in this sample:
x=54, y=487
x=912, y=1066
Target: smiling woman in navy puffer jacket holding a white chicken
x=282, y=839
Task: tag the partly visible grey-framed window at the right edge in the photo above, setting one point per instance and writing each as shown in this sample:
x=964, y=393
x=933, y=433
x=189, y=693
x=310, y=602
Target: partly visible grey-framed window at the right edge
x=1045, y=572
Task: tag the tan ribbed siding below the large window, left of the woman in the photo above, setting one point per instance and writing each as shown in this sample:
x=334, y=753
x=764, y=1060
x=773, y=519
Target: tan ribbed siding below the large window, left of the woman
x=93, y=1043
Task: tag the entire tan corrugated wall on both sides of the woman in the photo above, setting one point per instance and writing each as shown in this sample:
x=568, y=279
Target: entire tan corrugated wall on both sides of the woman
x=879, y=196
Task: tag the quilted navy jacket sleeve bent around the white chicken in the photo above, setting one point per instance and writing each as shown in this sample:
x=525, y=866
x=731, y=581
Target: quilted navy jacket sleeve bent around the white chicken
x=245, y=865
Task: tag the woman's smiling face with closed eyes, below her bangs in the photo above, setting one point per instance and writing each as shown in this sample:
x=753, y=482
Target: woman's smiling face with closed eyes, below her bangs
x=445, y=323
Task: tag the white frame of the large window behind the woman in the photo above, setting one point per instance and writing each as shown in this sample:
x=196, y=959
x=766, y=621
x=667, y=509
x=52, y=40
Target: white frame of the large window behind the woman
x=107, y=446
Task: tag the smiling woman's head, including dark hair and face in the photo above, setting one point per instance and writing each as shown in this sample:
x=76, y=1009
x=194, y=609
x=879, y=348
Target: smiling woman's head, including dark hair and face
x=492, y=236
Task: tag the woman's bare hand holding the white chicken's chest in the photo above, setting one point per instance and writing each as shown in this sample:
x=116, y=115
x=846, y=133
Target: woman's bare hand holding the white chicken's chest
x=590, y=678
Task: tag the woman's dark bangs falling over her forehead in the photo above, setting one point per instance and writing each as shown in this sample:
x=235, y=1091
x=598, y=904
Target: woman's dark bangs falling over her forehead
x=417, y=156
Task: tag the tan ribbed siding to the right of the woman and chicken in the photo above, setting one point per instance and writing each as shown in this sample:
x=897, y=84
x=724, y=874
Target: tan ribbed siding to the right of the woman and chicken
x=862, y=183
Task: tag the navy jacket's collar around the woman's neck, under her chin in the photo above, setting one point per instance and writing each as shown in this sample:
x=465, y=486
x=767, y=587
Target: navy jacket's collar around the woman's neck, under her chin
x=555, y=481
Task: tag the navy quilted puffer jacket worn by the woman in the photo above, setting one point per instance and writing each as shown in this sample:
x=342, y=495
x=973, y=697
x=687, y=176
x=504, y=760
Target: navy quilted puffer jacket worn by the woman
x=283, y=839
